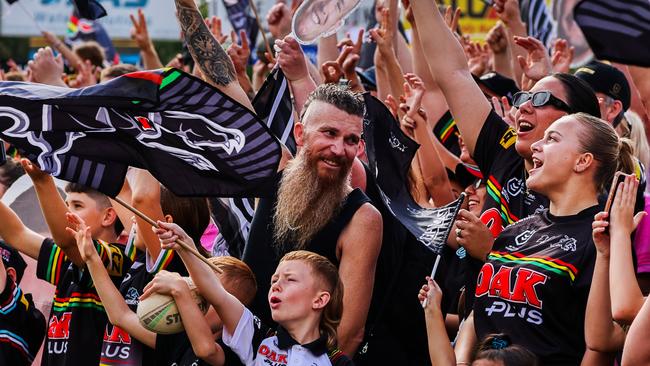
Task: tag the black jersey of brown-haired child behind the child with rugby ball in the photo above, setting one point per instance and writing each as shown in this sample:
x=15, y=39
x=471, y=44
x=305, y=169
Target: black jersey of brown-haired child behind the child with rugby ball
x=118, y=347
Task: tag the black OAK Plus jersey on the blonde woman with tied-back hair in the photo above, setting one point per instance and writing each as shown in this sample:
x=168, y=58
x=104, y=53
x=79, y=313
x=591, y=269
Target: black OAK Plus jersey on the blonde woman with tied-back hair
x=535, y=284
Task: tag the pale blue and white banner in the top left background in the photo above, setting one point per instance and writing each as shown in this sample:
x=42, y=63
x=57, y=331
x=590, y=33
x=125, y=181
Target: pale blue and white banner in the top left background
x=53, y=15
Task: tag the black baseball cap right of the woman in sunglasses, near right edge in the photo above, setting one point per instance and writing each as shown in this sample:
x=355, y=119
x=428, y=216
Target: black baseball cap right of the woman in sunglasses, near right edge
x=606, y=79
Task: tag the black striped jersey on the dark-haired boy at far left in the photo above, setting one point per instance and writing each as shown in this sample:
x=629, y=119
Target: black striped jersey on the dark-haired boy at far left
x=78, y=320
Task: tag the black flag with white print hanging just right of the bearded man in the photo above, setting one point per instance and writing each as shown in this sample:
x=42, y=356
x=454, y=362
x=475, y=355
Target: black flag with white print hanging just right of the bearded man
x=389, y=154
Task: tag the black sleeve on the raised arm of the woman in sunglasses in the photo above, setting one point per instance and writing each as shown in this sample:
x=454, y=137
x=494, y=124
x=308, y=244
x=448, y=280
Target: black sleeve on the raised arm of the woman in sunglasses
x=495, y=140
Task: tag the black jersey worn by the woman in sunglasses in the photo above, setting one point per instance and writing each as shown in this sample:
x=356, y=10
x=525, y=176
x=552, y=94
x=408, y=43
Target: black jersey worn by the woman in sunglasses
x=505, y=175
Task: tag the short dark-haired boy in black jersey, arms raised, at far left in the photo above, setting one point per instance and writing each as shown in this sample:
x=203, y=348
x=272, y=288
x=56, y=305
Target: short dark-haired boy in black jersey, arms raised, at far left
x=77, y=321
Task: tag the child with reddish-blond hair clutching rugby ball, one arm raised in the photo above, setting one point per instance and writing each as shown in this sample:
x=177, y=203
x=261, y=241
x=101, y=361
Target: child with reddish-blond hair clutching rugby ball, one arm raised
x=196, y=346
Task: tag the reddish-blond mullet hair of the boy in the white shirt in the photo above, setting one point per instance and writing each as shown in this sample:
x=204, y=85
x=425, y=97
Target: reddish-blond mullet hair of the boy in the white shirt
x=328, y=274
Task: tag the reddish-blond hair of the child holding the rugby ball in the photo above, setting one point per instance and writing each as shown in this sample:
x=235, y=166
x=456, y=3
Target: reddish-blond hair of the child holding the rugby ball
x=237, y=278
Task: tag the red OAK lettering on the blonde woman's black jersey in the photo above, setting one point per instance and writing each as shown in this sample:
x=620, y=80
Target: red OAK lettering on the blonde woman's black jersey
x=522, y=289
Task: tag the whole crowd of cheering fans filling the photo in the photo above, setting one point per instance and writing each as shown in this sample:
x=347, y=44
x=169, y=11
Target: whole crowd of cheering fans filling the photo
x=536, y=270
